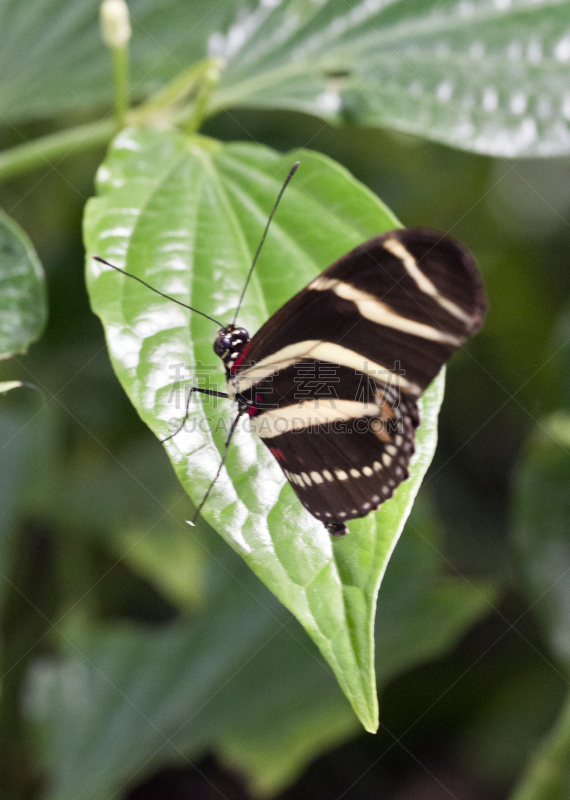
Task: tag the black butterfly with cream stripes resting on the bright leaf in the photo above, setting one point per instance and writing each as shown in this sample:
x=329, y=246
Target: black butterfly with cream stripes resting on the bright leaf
x=331, y=381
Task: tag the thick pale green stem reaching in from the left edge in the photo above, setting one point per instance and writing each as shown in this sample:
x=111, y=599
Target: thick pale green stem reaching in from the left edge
x=51, y=148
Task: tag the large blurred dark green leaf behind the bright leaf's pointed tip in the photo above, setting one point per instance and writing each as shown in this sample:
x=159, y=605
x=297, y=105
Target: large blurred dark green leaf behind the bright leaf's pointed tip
x=122, y=701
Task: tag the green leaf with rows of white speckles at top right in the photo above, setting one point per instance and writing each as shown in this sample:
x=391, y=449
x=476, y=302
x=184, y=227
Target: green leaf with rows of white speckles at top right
x=484, y=75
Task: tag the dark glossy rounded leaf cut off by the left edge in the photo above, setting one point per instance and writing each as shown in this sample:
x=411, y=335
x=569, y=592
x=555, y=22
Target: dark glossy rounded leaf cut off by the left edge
x=23, y=309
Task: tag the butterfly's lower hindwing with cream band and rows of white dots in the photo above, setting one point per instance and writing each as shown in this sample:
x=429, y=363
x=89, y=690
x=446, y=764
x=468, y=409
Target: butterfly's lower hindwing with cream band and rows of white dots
x=343, y=458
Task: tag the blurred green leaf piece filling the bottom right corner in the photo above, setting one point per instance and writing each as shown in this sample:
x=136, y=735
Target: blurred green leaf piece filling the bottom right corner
x=547, y=775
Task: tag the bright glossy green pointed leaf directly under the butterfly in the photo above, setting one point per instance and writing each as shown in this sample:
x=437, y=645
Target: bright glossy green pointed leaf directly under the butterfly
x=188, y=214
